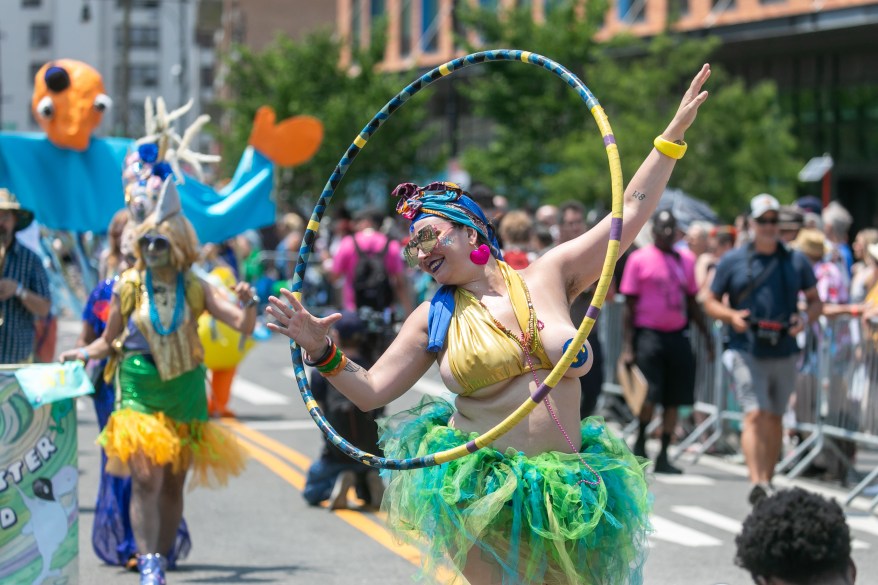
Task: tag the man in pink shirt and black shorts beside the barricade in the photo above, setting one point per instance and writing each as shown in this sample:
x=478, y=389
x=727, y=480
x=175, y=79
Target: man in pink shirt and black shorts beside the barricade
x=660, y=287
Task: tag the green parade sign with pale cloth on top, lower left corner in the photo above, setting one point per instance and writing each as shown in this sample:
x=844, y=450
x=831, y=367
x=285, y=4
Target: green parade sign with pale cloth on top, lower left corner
x=39, y=507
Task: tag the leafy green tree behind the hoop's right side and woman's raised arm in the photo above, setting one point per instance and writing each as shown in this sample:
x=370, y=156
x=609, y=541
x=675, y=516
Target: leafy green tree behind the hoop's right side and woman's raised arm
x=546, y=147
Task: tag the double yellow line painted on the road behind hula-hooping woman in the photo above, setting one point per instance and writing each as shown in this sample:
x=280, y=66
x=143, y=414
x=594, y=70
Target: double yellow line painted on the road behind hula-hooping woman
x=266, y=450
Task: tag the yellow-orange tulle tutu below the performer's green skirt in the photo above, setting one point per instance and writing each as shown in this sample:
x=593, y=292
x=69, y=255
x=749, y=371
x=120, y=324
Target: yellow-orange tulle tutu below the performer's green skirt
x=210, y=451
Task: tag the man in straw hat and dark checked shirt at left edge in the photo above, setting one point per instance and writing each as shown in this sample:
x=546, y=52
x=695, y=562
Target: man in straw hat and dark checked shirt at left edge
x=24, y=287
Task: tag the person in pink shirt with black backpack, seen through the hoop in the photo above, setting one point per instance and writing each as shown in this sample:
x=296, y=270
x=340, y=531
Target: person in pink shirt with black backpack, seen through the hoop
x=374, y=276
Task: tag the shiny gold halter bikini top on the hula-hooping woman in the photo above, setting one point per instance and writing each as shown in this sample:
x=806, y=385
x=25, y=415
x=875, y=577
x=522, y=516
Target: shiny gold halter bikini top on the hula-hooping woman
x=479, y=352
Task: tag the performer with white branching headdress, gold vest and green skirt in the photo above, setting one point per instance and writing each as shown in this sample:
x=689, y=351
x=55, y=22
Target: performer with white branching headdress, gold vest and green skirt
x=160, y=428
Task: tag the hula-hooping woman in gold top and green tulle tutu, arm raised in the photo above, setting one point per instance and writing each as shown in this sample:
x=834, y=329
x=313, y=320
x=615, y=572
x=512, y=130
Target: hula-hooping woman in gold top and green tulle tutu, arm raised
x=552, y=500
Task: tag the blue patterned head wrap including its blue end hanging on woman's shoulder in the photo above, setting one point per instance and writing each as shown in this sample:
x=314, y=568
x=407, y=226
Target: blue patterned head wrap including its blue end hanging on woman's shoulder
x=449, y=201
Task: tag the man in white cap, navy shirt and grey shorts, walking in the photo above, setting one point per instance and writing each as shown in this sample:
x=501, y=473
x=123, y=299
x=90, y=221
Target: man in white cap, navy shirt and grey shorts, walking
x=763, y=281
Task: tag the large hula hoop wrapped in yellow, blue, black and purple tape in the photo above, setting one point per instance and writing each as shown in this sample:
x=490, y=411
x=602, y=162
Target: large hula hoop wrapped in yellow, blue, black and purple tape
x=588, y=321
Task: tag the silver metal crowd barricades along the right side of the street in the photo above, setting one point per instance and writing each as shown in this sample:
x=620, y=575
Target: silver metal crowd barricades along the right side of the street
x=836, y=394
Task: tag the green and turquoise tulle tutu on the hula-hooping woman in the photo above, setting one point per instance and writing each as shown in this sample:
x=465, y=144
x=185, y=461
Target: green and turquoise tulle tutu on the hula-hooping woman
x=526, y=514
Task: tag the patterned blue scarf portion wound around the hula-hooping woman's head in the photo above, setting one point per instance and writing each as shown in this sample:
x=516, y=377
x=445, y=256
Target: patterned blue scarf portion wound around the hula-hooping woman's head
x=449, y=201
